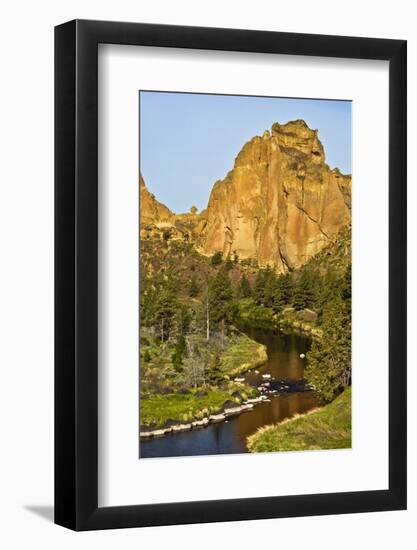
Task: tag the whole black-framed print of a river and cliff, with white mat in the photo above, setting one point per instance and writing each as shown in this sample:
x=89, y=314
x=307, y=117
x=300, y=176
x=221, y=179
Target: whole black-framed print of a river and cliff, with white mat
x=230, y=244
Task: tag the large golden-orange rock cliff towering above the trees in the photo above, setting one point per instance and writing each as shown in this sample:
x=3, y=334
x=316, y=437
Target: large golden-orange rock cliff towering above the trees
x=281, y=203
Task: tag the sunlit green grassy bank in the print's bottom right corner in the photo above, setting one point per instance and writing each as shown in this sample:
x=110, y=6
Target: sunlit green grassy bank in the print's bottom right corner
x=325, y=428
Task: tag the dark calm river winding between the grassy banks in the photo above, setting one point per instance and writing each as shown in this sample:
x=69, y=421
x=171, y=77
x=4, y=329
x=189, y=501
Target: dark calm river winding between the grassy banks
x=286, y=369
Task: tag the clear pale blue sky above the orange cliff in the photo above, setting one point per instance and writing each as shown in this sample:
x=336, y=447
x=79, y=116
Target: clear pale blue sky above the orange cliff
x=188, y=141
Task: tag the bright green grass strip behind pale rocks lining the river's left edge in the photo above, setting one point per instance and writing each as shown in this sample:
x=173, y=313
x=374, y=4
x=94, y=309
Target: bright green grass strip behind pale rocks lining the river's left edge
x=156, y=410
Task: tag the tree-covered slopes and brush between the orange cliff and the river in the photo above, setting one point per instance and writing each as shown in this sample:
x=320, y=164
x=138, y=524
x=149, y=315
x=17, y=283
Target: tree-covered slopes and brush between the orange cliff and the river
x=189, y=307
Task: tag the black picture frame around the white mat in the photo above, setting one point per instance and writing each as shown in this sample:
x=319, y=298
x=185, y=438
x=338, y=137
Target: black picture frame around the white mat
x=76, y=272
